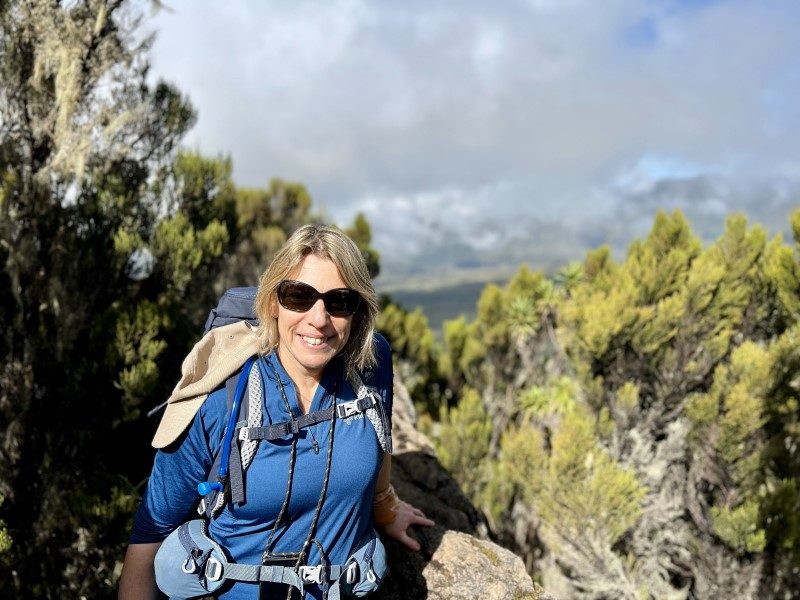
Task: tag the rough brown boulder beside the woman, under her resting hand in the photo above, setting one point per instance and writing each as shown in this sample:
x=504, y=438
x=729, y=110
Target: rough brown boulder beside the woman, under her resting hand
x=456, y=561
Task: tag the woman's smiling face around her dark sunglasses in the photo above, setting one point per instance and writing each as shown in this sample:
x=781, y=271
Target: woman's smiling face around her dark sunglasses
x=307, y=341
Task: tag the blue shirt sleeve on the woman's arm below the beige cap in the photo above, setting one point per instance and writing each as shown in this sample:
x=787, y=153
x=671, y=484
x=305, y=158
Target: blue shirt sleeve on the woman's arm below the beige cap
x=171, y=493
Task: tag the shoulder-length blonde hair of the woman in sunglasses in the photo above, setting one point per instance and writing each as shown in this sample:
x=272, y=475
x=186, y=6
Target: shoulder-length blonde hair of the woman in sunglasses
x=331, y=243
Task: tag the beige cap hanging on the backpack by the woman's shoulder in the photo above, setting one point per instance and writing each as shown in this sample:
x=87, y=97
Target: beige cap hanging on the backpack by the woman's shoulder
x=218, y=355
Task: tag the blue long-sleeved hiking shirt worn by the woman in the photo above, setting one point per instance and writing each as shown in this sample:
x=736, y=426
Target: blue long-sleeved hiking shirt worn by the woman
x=346, y=514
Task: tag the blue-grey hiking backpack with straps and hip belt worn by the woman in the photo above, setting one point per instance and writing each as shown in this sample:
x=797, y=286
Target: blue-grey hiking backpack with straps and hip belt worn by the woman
x=205, y=567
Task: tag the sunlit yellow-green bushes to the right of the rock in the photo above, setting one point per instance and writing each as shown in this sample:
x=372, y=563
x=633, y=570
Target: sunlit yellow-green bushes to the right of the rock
x=631, y=426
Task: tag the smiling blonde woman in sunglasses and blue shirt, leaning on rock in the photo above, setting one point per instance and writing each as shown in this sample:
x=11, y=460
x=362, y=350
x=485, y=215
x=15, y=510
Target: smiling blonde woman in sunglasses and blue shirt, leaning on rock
x=305, y=494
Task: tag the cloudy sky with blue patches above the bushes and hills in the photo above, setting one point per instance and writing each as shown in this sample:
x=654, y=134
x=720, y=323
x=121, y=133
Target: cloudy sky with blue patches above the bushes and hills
x=475, y=136
